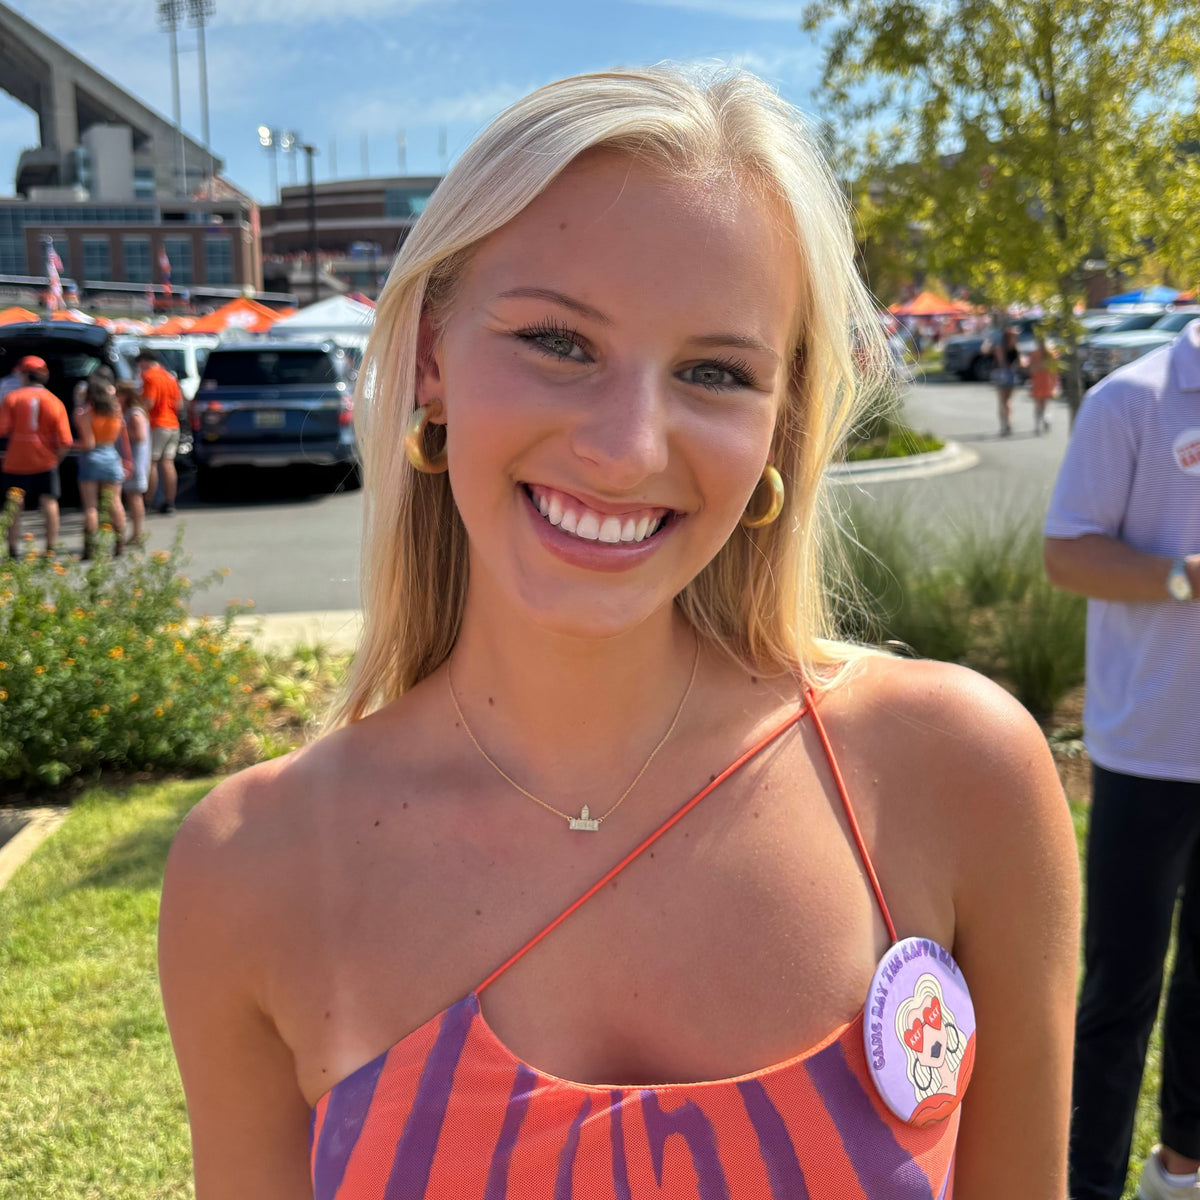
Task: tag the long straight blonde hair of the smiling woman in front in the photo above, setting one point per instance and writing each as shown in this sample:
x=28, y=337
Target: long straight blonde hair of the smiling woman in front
x=763, y=598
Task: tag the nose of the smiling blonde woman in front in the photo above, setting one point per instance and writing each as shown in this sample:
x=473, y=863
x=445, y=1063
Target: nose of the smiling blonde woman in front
x=623, y=430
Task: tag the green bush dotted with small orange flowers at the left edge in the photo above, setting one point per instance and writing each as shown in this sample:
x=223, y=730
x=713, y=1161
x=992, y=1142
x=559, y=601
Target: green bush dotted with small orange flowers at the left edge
x=100, y=667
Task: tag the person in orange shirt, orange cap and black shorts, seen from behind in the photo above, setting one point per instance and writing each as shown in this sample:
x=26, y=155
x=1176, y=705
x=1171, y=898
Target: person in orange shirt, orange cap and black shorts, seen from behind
x=35, y=422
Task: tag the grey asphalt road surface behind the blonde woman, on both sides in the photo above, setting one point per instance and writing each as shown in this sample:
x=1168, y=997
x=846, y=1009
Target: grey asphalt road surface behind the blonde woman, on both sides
x=293, y=551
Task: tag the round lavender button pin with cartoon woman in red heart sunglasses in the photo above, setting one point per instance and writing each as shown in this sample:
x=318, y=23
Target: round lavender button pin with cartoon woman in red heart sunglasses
x=920, y=1033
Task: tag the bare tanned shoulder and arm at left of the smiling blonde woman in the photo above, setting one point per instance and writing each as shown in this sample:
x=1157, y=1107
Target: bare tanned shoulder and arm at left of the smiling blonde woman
x=248, y=872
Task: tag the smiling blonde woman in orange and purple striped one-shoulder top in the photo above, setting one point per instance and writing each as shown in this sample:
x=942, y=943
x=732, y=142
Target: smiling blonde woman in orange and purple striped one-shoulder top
x=585, y=893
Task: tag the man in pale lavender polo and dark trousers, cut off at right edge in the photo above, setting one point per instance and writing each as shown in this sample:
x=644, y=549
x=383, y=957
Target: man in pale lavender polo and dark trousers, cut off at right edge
x=1124, y=530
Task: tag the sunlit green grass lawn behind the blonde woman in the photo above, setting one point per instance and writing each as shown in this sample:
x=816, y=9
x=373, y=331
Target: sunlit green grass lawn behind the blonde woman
x=91, y=1102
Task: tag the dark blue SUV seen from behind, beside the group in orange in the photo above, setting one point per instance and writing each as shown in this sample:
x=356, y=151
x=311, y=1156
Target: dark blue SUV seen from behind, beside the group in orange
x=277, y=404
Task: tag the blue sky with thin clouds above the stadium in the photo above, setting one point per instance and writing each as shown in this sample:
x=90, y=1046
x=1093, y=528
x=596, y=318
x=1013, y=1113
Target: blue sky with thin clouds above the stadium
x=355, y=69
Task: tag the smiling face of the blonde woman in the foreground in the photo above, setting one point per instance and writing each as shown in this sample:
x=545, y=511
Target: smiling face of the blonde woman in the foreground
x=610, y=373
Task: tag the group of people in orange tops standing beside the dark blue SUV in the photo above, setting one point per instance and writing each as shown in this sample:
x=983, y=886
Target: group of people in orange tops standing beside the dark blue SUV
x=128, y=437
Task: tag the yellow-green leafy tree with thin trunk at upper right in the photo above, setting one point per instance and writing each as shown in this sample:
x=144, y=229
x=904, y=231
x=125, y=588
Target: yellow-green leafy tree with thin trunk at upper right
x=1029, y=142
